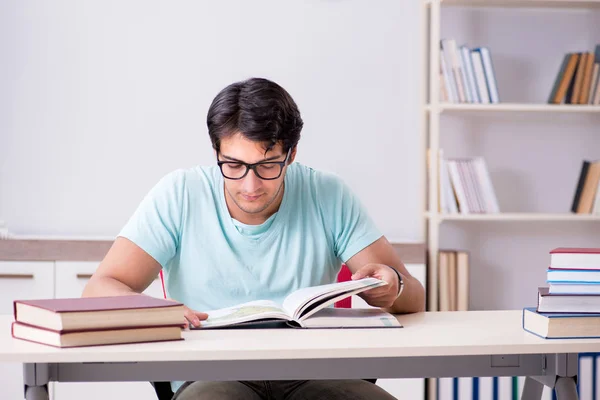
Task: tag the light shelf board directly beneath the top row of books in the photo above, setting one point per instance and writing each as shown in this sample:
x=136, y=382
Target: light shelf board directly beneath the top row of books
x=517, y=107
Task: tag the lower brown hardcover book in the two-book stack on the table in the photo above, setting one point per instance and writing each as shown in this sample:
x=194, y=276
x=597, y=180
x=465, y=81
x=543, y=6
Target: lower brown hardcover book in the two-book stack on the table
x=98, y=337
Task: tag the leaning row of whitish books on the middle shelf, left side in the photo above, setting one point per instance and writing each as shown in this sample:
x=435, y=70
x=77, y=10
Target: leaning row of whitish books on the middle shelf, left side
x=465, y=186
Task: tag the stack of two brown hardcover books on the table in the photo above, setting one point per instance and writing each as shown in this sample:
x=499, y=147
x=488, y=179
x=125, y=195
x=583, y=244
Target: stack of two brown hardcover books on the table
x=92, y=321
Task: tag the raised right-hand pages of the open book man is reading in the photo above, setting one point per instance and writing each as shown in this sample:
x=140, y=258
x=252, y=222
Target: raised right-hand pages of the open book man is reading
x=324, y=295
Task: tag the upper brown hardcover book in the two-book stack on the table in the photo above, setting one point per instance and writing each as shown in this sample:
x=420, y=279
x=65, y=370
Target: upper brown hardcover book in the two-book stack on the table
x=86, y=313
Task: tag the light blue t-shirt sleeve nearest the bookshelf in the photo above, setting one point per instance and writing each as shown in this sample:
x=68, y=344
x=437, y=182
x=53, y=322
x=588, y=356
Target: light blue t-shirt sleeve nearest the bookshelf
x=351, y=228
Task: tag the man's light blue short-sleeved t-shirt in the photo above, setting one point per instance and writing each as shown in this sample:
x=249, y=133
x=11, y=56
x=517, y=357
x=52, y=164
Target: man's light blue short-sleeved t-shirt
x=212, y=261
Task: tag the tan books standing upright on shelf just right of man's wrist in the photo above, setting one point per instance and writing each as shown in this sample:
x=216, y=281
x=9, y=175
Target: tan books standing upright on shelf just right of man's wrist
x=453, y=280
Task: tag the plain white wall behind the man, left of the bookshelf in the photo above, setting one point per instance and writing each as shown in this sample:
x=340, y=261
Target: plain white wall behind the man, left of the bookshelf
x=100, y=99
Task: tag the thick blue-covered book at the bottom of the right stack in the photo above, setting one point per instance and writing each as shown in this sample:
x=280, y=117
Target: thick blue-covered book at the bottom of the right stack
x=561, y=325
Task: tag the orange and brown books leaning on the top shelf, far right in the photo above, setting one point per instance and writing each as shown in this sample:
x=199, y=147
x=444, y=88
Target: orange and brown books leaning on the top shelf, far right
x=578, y=79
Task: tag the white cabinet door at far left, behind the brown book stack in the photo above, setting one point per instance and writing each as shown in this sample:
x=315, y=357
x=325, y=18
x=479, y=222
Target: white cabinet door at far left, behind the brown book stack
x=21, y=280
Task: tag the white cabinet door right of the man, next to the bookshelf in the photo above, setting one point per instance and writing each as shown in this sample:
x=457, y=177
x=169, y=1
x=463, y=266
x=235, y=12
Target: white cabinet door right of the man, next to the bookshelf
x=402, y=388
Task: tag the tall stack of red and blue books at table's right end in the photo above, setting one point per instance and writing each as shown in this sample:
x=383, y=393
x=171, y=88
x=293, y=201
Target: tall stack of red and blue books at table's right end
x=570, y=306
